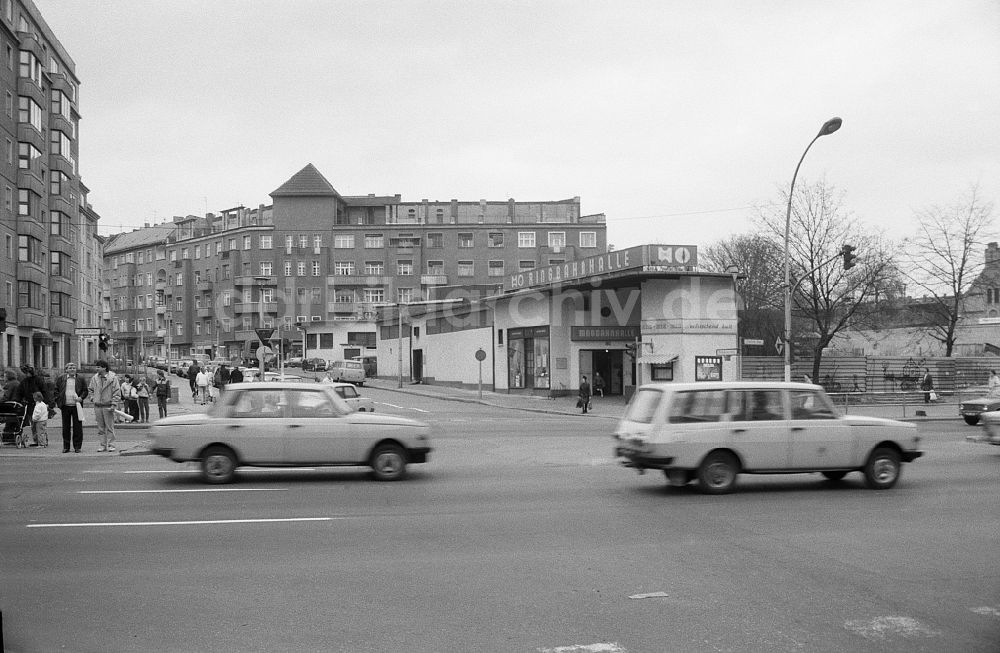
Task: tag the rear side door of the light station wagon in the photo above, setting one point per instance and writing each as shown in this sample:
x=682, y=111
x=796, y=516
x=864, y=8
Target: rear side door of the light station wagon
x=759, y=430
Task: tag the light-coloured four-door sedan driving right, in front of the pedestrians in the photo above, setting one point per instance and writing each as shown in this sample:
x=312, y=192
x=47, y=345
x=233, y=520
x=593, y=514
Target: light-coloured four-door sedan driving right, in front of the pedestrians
x=290, y=425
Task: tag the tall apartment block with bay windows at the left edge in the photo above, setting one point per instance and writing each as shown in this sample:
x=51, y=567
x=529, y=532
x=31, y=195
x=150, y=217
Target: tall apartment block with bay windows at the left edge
x=51, y=253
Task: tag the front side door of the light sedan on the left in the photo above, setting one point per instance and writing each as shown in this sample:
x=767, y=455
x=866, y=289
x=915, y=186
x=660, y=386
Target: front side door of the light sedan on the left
x=317, y=432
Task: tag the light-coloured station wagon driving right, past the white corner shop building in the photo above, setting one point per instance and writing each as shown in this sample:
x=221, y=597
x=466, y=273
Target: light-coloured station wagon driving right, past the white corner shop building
x=713, y=431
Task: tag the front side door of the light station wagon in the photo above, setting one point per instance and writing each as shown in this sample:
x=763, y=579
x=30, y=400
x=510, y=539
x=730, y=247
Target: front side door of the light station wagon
x=820, y=439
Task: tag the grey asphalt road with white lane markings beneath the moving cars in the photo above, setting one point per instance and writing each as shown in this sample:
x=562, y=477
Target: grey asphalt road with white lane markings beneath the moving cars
x=520, y=535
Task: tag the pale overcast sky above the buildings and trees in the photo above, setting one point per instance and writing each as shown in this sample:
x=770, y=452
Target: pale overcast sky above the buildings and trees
x=673, y=118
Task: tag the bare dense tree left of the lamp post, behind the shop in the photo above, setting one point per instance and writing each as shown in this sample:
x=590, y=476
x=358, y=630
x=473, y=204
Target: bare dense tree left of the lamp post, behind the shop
x=759, y=259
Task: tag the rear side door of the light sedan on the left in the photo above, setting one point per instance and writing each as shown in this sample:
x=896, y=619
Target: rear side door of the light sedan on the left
x=250, y=423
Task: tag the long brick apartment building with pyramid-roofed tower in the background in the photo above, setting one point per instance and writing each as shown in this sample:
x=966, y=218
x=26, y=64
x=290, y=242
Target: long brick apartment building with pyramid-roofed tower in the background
x=317, y=266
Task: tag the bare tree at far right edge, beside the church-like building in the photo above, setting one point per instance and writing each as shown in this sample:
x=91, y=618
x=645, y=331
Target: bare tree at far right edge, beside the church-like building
x=944, y=257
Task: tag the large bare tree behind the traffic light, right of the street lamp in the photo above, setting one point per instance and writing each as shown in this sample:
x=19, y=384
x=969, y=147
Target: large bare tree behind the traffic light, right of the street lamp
x=827, y=298
